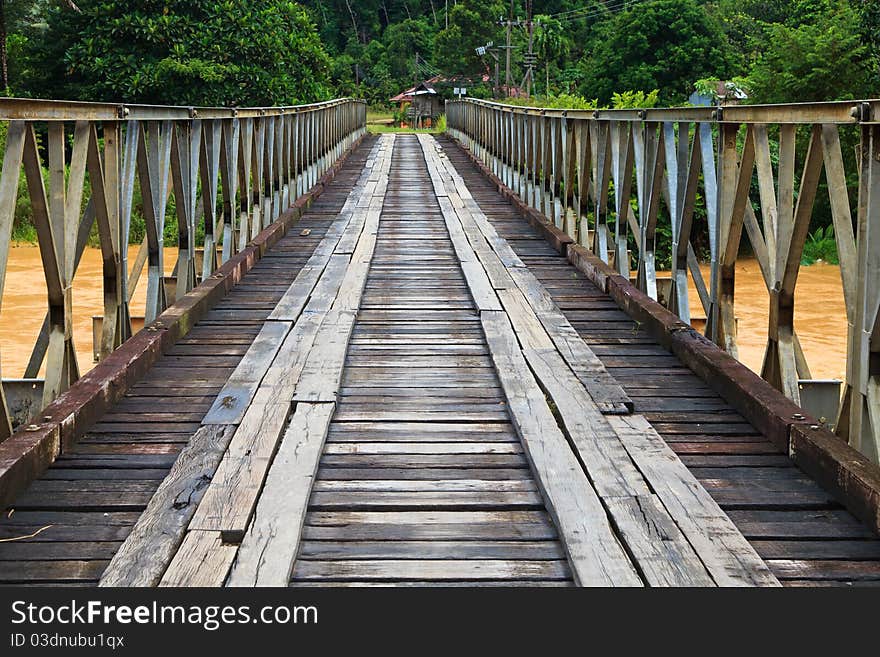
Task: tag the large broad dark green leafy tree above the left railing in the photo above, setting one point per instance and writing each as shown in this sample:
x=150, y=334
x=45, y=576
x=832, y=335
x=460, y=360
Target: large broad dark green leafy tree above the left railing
x=196, y=52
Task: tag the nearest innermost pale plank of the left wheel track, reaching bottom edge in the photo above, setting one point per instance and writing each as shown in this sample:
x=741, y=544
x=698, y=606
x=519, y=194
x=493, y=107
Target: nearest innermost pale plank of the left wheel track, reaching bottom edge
x=270, y=545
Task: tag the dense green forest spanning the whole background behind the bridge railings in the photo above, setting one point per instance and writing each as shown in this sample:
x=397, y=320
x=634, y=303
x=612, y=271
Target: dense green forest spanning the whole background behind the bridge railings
x=279, y=51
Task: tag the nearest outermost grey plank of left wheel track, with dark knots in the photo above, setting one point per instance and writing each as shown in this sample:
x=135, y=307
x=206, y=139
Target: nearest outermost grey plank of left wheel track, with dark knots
x=153, y=541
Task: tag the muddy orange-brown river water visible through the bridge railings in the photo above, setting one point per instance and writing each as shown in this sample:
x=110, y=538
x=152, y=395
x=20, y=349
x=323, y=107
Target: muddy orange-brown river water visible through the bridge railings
x=820, y=316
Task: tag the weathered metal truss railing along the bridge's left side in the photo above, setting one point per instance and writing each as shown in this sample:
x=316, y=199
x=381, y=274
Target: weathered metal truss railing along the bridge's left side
x=230, y=172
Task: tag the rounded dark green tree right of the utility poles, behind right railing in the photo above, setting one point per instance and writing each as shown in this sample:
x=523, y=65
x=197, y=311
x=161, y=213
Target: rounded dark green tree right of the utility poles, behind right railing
x=661, y=44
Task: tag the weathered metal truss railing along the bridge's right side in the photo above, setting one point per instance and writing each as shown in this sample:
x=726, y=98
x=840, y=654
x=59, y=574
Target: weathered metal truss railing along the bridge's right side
x=604, y=175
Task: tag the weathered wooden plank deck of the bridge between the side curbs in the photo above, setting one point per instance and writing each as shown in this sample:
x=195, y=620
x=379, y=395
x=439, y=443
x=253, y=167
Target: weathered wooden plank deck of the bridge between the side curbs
x=436, y=466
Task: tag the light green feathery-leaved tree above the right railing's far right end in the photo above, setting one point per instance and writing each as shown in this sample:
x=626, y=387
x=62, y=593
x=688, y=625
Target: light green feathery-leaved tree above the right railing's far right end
x=824, y=59
